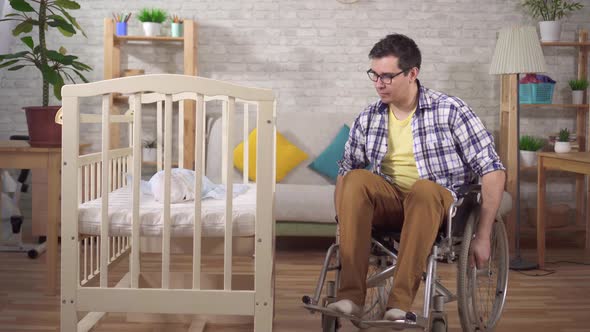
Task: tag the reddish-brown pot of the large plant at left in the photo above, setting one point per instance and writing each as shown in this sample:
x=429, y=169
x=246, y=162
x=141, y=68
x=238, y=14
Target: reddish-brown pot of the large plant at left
x=43, y=131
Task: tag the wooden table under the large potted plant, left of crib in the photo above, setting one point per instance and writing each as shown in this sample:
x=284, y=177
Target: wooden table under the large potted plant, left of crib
x=20, y=155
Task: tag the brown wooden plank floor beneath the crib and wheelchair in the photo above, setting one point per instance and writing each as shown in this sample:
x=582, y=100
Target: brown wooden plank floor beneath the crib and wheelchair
x=557, y=302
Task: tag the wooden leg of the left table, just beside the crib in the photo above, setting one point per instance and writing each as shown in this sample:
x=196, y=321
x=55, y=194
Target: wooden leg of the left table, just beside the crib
x=53, y=206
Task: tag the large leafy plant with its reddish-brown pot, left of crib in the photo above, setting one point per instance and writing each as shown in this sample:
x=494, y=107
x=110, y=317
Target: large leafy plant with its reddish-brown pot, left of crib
x=54, y=65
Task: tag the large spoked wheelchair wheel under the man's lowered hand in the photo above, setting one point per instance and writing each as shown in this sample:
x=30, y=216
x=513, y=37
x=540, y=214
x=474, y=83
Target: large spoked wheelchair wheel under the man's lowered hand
x=482, y=292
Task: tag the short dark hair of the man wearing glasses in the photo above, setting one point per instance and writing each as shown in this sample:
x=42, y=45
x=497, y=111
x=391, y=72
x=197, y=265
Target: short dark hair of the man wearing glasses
x=400, y=46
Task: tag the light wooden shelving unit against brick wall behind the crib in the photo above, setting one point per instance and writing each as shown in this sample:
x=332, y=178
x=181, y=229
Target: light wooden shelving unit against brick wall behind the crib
x=112, y=69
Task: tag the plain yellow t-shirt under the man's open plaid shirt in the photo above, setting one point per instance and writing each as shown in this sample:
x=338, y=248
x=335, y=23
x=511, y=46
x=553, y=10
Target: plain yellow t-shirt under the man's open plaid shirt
x=399, y=162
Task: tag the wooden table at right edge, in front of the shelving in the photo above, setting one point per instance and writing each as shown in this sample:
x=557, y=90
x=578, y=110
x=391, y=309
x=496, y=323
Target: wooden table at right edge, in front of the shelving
x=576, y=162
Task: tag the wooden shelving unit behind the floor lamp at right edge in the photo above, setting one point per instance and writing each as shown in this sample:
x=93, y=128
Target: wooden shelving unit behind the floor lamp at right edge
x=508, y=114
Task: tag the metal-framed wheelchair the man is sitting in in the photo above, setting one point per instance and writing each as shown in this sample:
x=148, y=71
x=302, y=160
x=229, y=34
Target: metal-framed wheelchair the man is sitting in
x=480, y=292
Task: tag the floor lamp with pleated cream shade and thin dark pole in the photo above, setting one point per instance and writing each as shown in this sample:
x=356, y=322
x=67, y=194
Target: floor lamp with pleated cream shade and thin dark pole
x=518, y=50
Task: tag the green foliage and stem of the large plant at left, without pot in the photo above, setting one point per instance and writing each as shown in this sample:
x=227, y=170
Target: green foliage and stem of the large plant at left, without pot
x=54, y=65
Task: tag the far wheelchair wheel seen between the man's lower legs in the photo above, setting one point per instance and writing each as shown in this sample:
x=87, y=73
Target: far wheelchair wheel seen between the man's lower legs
x=377, y=294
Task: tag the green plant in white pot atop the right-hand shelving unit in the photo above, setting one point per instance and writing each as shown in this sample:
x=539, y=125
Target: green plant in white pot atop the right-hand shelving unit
x=550, y=12
